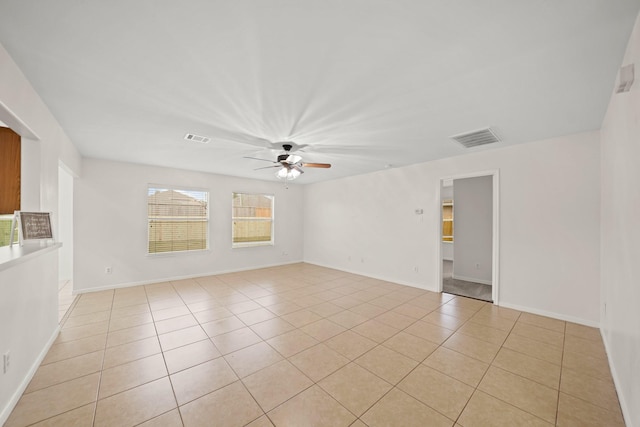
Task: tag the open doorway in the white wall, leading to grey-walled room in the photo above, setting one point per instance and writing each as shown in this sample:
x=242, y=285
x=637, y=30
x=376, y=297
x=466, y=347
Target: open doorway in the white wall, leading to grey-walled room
x=469, y=236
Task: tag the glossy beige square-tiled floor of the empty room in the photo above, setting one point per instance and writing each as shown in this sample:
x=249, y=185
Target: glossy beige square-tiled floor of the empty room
x=302, y=345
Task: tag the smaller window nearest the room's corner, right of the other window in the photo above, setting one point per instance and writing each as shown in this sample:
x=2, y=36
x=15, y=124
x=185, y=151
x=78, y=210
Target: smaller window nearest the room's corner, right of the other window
x=252, y=218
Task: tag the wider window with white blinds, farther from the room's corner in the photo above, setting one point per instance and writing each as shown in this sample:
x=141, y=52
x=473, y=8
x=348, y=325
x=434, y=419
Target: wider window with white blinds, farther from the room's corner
x=178, y=219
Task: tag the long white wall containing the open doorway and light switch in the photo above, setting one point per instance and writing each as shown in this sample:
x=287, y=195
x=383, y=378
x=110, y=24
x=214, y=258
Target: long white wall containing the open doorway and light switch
x=549, y=223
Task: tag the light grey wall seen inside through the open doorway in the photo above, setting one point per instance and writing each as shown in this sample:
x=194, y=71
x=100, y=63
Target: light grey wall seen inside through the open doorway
x=473, y=203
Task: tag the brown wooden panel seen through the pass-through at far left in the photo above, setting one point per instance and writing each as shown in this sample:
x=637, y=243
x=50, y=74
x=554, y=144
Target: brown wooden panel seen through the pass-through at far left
x=9, y=171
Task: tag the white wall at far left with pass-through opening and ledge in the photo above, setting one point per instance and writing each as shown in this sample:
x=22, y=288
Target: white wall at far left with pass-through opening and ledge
x=28, y=292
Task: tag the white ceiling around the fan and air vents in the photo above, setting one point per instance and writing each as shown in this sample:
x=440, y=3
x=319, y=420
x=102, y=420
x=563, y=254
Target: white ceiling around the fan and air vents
x=364, y=83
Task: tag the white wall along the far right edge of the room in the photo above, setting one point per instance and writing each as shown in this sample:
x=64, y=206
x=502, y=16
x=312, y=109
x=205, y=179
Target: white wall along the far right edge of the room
x=620, y=236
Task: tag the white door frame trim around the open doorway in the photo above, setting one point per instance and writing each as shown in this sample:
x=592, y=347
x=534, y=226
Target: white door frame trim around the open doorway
x=495, y=241
